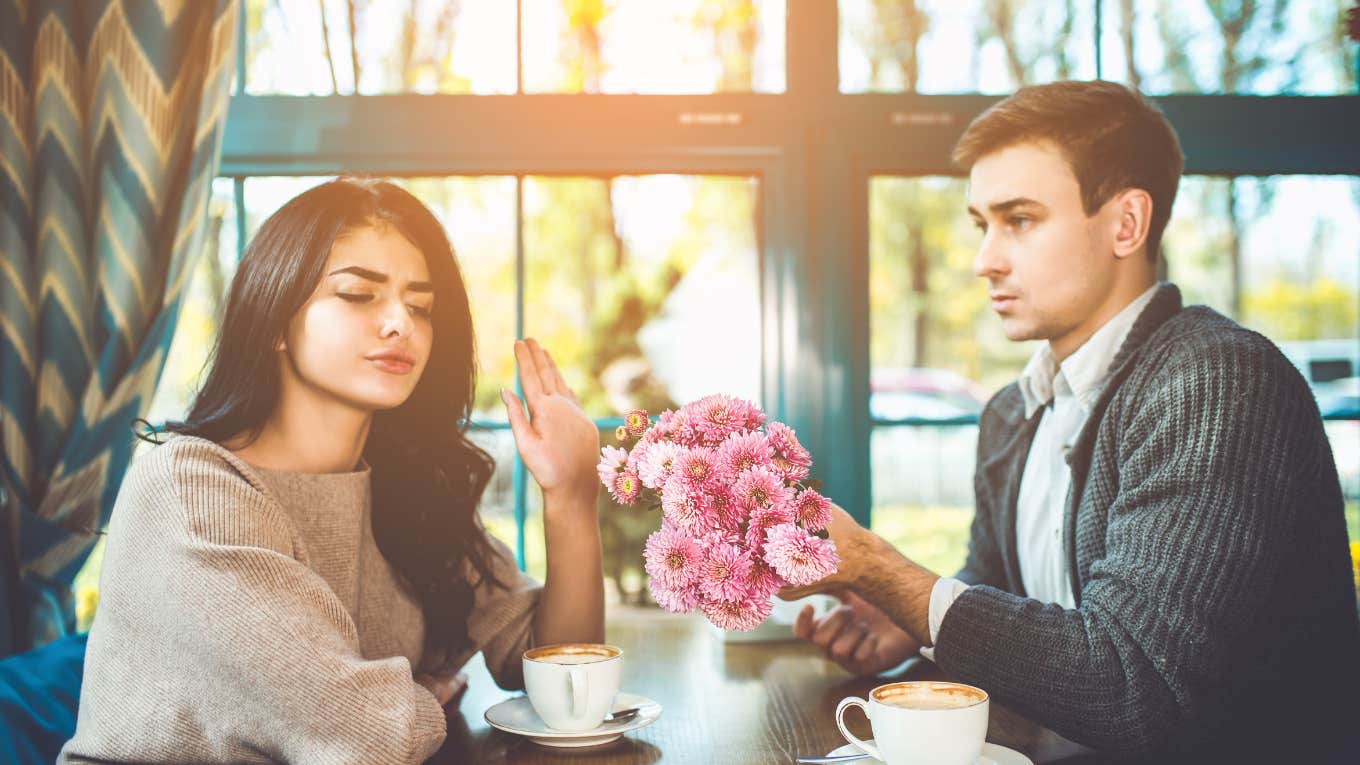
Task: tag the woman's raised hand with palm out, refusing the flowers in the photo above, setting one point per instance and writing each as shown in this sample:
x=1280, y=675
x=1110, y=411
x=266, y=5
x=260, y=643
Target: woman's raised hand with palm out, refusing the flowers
x=557, y=442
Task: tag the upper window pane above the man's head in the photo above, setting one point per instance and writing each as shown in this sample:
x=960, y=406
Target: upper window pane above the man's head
x=1162, y=47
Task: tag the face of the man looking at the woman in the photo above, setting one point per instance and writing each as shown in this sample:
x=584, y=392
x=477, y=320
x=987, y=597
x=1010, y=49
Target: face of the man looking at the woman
x=1049, y=267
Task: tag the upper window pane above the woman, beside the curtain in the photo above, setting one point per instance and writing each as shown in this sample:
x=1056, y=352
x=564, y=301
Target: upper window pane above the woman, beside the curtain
x=477, y=47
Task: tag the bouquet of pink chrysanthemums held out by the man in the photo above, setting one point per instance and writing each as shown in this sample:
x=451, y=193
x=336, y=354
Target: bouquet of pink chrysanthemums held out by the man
x=741, y=519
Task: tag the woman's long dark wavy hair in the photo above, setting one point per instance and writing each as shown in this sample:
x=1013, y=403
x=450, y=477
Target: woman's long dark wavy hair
x=428, y=476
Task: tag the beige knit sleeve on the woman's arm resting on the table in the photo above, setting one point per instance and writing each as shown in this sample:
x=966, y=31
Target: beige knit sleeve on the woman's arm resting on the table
x=214, y=643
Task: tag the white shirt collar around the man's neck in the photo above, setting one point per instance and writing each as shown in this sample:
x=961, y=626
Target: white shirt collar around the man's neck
x=1087, y=370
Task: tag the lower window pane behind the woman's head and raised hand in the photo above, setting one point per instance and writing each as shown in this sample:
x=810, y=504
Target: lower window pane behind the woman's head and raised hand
x=618, y=277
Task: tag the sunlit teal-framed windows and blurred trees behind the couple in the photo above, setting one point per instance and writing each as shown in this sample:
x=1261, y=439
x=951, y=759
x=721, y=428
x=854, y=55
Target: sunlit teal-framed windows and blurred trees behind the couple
x=755, y=198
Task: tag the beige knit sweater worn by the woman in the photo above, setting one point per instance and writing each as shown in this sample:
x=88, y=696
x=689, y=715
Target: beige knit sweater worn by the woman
x=247, y=616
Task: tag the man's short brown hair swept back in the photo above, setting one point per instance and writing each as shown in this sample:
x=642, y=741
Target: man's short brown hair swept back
x=1113, y=138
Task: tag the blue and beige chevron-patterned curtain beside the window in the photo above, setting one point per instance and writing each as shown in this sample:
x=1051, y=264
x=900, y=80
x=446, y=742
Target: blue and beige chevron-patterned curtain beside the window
x=111, y=130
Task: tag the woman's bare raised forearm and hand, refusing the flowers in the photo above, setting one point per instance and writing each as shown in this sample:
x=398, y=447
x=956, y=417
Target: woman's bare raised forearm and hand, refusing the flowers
x=561, y=446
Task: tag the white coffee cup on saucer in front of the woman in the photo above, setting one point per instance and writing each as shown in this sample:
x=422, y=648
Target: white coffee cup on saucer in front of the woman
x=572, y=687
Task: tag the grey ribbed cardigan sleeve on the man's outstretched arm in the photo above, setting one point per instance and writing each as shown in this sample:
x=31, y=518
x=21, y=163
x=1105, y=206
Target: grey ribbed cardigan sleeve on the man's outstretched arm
x=1222, y=439
